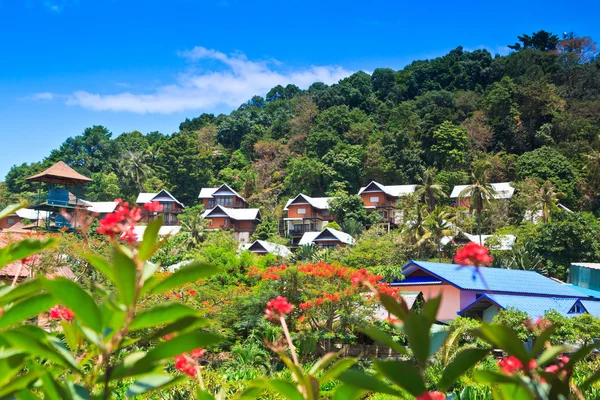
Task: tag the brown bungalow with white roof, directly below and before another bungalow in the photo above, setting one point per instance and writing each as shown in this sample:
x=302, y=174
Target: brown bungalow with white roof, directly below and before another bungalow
x=242, y=221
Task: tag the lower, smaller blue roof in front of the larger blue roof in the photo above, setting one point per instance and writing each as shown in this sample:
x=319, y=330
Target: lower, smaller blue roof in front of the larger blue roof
x=534, y=306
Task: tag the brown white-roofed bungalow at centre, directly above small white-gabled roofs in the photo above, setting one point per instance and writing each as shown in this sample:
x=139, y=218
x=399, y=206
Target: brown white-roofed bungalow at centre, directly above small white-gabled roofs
x=306, y=214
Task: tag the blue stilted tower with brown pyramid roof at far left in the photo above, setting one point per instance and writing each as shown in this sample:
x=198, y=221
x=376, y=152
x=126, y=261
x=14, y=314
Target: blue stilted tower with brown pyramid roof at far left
x=64, y=185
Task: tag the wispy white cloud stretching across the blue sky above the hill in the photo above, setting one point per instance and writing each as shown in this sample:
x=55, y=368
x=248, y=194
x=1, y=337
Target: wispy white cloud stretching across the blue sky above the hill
x=237, y=82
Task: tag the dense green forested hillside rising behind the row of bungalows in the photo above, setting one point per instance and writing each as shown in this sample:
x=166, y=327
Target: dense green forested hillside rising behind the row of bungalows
x=534, y=113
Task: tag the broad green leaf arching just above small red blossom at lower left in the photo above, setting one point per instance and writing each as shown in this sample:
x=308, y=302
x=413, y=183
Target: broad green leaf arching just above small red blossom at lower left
x=71, y=295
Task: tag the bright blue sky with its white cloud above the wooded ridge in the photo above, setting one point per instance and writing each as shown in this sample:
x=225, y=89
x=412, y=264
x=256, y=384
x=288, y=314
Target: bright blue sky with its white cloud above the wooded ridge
x=147, y=65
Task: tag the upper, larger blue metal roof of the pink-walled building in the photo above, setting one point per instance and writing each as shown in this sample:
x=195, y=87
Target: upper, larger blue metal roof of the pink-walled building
x=493, y=279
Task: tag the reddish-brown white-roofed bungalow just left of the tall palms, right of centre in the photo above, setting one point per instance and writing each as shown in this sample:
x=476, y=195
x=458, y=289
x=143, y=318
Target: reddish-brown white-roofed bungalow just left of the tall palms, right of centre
x=384, y=200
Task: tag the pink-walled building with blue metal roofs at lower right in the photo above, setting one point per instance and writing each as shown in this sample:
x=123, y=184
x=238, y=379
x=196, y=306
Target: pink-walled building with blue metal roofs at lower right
x=483, y=291
